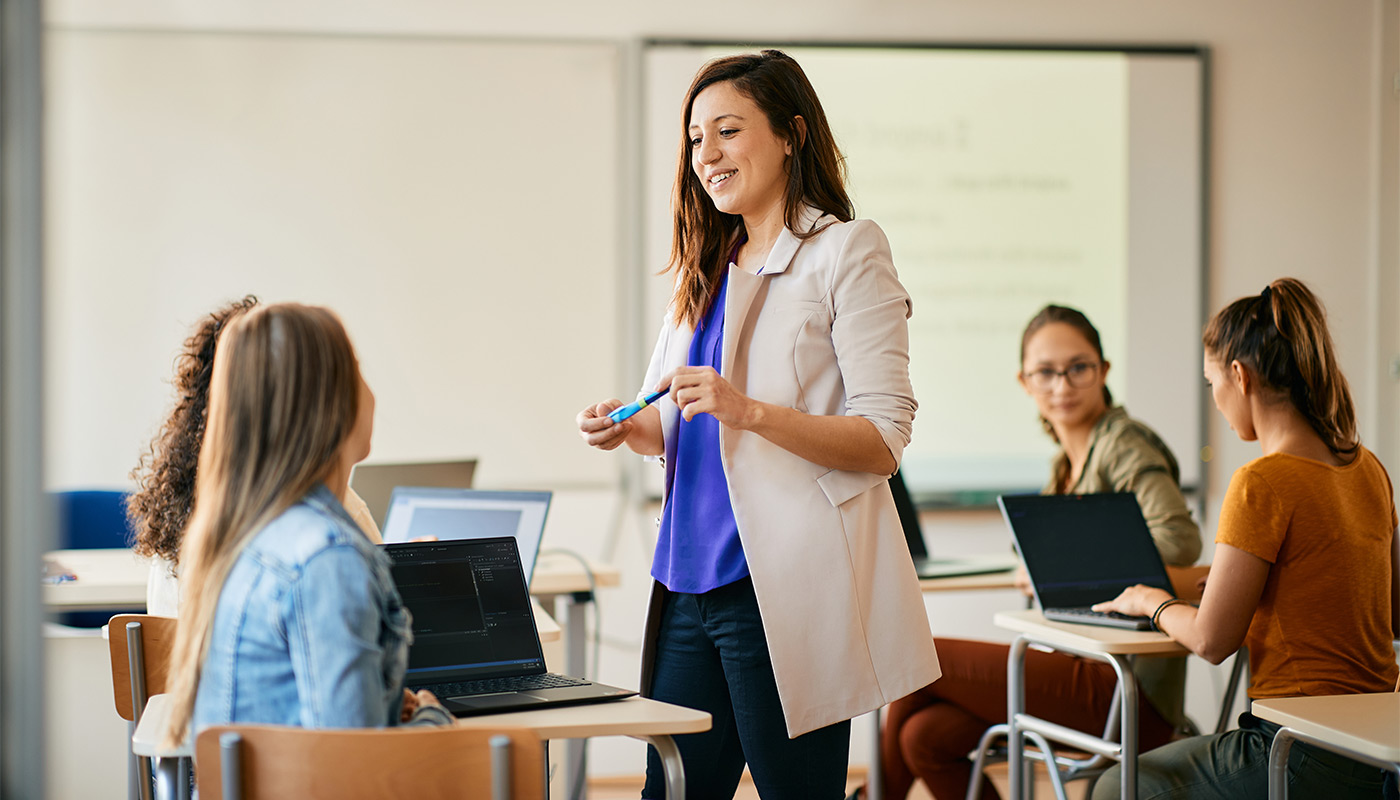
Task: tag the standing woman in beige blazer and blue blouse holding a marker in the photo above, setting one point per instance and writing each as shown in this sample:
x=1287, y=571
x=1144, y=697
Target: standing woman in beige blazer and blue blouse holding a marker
x=785, y=599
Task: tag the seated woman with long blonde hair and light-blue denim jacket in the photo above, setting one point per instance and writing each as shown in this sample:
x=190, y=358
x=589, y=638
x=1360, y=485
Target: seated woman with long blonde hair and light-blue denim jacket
x=290, y=614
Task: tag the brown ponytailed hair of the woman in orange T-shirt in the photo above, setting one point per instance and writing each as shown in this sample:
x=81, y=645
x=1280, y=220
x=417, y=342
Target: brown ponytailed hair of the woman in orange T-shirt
x=1282, y=336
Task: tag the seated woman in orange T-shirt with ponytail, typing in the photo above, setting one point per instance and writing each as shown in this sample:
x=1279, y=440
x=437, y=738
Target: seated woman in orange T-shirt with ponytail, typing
x=1305, y=570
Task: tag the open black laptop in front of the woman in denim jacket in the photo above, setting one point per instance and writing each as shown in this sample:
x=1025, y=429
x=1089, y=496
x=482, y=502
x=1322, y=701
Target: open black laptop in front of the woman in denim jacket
x=475, y=644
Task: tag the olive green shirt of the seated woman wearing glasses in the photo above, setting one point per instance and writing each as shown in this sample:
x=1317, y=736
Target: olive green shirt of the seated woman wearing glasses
x=1126, y=456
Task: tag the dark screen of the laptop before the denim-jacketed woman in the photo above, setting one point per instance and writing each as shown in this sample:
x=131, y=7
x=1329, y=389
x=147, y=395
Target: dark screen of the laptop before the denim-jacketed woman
x=472, y=616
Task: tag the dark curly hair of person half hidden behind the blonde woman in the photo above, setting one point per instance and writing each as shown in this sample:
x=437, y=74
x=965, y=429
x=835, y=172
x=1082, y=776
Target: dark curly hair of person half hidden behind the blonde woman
x=166, y=473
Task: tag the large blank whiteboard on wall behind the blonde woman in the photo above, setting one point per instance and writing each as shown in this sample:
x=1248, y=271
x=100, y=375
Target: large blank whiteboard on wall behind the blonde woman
x=453, y=200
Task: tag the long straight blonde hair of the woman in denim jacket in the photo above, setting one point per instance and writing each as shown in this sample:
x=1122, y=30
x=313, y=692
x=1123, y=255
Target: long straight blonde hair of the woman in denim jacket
x=283, y=400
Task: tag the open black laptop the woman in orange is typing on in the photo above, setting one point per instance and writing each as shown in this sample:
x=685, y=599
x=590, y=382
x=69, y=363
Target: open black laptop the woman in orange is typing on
x=1081, y=550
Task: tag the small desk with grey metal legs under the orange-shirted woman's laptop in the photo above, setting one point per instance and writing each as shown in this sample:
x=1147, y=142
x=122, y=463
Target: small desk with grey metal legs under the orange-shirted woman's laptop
x=1112, y=645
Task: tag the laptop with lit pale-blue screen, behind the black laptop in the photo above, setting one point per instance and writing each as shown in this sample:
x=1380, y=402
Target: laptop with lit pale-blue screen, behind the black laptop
x=416, y=512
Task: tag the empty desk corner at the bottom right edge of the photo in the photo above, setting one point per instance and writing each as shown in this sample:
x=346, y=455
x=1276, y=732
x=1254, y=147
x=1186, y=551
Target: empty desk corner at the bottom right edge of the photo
x=1366, y=728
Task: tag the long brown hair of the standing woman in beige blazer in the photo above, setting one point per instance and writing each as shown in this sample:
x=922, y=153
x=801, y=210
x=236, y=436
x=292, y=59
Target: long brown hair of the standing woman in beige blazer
x=703, y=236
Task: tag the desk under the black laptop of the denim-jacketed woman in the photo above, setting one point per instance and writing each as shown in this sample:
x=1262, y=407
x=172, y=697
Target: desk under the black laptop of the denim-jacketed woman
x=639, y=718
